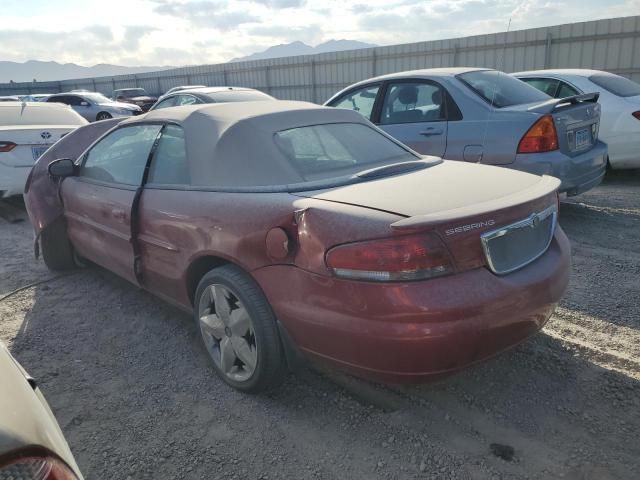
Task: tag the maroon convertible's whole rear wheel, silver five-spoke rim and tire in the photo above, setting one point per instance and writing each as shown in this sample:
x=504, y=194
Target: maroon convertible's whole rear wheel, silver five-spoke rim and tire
x=221, y=330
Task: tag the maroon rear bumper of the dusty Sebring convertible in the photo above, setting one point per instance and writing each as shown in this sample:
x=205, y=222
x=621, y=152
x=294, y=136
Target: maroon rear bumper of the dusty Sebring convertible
x=416, y=331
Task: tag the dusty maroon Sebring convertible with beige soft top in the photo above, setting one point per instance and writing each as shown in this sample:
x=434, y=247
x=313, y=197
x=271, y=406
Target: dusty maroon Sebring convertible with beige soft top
x=290, y=228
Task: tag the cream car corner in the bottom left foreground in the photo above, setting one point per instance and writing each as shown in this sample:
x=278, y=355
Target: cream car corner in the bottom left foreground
x=32, y=446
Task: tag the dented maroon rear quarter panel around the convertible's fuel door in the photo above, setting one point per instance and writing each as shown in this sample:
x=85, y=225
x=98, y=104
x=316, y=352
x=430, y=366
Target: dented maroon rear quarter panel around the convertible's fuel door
x=178, y=227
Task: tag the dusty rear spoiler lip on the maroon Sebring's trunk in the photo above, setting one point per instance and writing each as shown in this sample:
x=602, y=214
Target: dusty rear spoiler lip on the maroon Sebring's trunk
x=545, y=186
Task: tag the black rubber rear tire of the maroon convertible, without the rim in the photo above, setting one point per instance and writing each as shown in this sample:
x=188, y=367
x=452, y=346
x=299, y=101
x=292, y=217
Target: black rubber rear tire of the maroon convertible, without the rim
x=270, y=368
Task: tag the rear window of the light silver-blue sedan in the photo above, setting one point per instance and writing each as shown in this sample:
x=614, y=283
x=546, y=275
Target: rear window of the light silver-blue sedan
x=501, y=90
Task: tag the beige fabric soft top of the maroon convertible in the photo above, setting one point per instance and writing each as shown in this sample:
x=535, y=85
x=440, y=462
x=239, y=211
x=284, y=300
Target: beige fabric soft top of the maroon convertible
x=231, y=145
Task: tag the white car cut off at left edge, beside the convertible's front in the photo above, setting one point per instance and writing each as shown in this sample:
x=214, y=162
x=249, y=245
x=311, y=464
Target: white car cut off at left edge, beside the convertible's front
x=27, y=130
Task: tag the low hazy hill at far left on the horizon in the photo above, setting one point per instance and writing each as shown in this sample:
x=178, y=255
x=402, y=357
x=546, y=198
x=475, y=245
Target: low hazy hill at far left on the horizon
x=42, y=71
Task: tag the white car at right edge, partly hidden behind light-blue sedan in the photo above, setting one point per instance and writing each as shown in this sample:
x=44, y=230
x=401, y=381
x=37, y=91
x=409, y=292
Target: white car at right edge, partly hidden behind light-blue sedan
x=620, y=101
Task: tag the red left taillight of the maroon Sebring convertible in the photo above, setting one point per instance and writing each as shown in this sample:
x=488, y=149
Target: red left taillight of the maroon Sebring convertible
x=413, y=257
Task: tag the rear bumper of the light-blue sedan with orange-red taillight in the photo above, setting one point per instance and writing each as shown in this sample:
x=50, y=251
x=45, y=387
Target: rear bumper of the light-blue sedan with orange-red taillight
x=577, y=174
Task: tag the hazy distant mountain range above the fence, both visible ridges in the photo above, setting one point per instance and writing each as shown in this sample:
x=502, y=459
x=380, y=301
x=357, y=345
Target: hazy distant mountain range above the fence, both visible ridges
x=44, y=71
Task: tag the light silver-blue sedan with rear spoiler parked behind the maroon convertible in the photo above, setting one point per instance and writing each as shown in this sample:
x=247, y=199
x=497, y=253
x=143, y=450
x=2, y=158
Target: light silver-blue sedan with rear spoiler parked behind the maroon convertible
x=486, y=116
